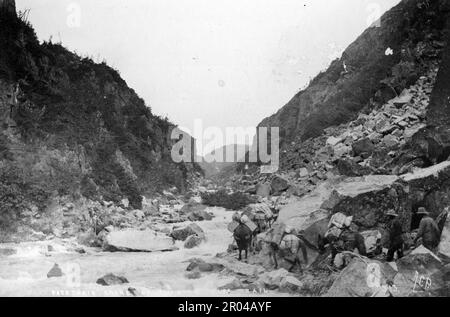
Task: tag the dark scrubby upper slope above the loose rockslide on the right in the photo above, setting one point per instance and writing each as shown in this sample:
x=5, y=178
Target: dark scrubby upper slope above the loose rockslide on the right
x=371, y=75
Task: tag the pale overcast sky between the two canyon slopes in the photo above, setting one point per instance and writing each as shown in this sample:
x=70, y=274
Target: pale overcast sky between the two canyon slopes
x=230, y=63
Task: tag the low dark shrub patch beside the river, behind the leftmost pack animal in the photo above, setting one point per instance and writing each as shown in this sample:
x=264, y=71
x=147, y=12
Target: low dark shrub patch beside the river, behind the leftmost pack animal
x=221, y=198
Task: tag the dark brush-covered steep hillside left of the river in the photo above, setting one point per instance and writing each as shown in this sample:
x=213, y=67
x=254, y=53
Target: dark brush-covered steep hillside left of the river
x=70, y=126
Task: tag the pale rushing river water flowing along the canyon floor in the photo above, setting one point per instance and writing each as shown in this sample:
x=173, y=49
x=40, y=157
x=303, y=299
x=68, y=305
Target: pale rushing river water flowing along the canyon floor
x=151, y=274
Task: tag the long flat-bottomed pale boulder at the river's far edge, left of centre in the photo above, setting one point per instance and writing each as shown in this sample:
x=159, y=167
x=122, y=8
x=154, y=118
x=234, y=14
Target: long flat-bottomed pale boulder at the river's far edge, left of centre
x=137, y=241
